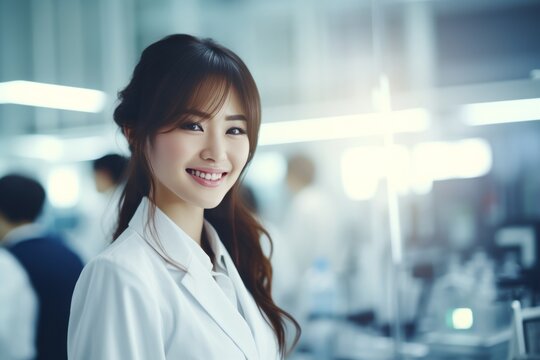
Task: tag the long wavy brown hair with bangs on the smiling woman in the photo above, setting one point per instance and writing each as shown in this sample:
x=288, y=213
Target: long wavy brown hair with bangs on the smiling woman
x=178, y=73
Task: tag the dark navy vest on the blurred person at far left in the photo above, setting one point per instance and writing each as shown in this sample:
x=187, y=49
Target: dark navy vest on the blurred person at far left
x=53, y=270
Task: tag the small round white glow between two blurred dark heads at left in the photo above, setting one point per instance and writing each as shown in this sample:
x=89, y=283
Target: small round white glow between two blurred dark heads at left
x=63, y=187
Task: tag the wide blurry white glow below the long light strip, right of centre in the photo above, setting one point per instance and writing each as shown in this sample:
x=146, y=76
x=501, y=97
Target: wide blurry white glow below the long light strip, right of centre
x=363, y=167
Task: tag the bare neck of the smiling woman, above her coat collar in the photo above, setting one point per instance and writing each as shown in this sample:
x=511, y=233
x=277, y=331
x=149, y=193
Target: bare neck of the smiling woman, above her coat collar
x=188, y=217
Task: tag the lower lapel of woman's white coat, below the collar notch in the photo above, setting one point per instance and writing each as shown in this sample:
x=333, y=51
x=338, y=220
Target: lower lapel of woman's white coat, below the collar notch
x=205, y=290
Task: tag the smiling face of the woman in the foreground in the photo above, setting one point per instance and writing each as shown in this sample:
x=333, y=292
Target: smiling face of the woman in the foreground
x=198, y=162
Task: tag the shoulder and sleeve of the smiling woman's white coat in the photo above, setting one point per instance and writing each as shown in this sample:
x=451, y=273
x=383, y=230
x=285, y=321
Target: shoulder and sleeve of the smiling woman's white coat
x=118, y=292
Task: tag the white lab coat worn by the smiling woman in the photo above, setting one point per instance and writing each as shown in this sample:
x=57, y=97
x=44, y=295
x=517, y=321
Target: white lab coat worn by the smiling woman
x=130, y=303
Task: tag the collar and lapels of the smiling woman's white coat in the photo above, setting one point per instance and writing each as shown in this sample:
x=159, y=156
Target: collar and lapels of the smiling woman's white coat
x=198, y=279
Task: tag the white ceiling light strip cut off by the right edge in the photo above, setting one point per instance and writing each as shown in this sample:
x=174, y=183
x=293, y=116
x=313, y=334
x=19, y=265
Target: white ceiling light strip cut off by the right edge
x=501, y=112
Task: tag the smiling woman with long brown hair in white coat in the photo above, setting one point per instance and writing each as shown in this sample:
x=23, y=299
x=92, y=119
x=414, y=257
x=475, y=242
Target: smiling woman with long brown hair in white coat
x=185, y=277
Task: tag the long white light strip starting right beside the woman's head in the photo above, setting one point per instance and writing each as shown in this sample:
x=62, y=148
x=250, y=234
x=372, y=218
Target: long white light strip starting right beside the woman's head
x=341, y=127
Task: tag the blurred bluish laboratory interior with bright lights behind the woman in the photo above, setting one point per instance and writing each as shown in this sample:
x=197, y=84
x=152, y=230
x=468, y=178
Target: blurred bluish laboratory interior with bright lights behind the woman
x=398, y=168
